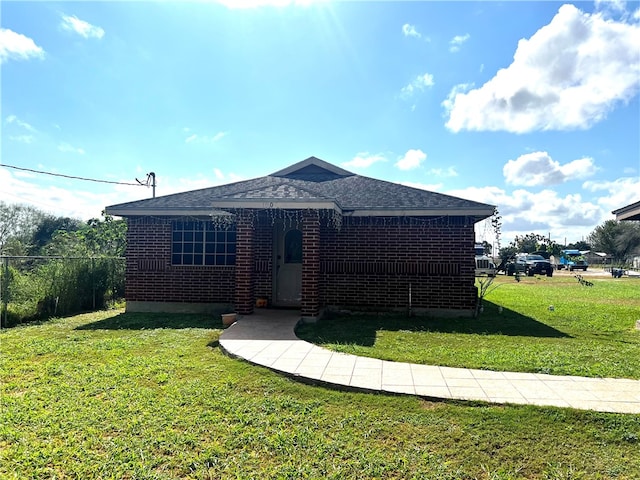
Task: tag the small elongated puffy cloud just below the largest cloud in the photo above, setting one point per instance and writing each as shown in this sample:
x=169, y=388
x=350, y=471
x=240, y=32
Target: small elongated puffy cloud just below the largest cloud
x=539, y=169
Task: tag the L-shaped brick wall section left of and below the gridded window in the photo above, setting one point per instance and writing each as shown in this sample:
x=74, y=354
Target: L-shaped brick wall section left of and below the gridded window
x=150, y=277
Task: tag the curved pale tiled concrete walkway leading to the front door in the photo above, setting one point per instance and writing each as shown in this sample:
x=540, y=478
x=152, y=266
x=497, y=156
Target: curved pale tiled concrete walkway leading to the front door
x=267, y=338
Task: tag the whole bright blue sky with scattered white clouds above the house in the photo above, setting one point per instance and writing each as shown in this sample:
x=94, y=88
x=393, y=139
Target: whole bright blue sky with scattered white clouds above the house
x=530, y=106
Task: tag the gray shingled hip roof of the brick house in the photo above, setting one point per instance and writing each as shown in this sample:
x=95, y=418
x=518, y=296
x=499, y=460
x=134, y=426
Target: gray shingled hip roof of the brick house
x=312, y=183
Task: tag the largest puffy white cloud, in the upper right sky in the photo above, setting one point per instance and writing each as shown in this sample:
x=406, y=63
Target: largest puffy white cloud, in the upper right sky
x=568, y=75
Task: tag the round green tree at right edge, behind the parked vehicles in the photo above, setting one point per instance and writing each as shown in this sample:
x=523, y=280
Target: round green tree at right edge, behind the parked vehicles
x=619, y=239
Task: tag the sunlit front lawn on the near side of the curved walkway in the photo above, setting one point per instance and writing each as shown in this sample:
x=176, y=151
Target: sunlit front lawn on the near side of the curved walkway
x=112, y=395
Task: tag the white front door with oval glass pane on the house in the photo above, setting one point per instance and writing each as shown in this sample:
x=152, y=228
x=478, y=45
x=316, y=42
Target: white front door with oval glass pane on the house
x=288, y=262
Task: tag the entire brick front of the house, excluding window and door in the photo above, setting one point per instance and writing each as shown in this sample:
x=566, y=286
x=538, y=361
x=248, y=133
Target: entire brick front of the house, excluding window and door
x=366, y=264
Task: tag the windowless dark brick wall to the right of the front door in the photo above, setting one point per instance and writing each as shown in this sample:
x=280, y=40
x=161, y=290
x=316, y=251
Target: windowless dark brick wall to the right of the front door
x=373, y=264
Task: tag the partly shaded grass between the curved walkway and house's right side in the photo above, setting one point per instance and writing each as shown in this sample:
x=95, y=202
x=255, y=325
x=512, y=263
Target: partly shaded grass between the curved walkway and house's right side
x=590, y=332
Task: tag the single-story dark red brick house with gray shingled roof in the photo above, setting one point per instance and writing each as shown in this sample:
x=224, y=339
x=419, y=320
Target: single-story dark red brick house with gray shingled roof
x=311, y=236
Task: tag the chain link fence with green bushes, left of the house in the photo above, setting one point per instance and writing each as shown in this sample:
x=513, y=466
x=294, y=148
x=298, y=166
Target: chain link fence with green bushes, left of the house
x=36, y=288
